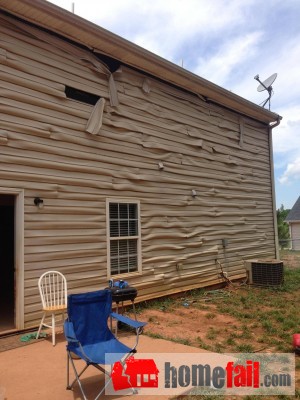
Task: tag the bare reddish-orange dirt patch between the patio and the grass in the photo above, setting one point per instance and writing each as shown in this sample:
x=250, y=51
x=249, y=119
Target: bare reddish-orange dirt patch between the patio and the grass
x=204, y=328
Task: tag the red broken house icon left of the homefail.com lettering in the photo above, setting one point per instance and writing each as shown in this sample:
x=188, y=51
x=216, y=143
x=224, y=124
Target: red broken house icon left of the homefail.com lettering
x=141, y=373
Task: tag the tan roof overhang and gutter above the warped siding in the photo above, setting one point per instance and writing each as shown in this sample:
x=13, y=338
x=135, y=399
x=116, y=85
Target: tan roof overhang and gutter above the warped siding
x=99, y=40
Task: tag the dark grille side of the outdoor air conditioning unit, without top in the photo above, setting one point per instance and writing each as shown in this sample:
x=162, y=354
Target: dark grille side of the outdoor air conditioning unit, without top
x=270, y=274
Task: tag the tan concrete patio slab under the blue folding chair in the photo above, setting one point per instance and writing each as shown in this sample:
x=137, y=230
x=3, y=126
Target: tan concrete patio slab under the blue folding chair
x=38, y=371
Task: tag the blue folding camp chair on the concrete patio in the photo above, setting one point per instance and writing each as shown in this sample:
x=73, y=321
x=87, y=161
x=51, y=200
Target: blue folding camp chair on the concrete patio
x=90, y=338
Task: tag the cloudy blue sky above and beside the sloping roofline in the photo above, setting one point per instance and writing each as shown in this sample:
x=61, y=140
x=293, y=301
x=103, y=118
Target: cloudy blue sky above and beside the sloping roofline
x=227, y=42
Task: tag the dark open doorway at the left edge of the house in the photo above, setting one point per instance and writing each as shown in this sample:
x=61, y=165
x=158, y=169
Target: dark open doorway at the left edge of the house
x=7, y=263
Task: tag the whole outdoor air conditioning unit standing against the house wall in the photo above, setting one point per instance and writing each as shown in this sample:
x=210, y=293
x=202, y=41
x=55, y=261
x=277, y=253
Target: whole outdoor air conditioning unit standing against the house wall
x=264, y=272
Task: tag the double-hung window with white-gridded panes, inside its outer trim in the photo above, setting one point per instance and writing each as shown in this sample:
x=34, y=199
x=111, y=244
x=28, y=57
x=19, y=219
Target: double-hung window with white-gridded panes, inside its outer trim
x=124, y=237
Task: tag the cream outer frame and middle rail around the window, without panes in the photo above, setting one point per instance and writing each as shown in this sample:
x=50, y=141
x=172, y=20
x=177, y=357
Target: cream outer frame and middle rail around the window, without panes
x=137, y=237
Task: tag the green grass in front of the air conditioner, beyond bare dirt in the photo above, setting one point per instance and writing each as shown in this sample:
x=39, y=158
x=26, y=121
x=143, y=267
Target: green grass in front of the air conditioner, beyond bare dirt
x=273, y=311
